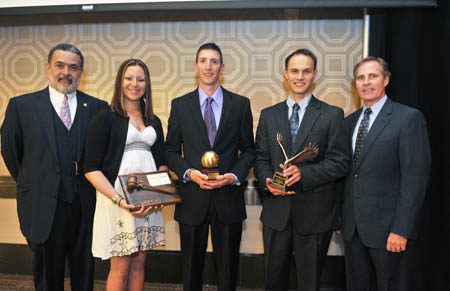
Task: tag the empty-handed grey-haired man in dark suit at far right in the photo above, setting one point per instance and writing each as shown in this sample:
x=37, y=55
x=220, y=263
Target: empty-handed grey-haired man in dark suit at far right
x=385, y=187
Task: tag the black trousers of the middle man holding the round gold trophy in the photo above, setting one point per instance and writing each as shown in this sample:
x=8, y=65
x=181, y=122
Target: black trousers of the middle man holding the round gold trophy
x=226, y=240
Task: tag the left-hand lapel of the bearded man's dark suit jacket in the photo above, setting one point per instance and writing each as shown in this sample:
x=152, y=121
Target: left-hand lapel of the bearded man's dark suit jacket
x=45, y=110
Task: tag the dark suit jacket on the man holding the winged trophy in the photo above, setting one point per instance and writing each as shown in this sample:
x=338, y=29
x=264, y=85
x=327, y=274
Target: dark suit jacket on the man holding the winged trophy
x=314, y=206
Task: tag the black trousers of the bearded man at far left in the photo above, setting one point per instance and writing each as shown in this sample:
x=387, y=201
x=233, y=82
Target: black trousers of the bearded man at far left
x=70, y=238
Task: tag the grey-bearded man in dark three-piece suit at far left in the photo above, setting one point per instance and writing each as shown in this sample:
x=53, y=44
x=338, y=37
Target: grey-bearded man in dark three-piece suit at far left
x=42, y=137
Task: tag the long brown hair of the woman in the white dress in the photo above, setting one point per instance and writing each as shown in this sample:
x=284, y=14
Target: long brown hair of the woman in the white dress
x=117, y=103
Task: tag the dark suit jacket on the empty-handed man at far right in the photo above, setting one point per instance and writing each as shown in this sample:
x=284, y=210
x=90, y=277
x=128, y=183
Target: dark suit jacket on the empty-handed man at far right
x=385, y=191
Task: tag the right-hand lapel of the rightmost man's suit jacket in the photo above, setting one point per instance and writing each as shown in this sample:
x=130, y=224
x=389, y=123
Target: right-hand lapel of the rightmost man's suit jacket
x=377, y=127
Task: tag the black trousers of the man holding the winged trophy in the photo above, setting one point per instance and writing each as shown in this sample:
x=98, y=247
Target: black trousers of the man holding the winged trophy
x=310, y=253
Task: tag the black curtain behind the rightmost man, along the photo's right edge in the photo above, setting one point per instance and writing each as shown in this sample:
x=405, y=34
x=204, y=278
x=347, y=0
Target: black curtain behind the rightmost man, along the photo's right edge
x=416, y=44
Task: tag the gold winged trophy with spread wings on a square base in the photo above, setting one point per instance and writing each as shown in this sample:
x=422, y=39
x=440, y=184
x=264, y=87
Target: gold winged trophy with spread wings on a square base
x=309, y=153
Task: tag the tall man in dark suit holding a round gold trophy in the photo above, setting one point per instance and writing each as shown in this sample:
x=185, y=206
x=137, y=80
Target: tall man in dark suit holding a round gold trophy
x=210, y=119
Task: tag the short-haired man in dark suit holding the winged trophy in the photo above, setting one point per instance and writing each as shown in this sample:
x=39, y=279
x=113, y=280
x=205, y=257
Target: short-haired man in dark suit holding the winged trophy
x=302, y=218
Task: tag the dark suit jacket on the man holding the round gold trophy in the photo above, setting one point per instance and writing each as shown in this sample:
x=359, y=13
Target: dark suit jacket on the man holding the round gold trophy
x=234, y=145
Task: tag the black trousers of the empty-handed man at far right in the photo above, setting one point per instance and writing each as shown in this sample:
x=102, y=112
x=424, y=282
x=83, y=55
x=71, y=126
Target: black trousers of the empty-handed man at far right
x=376, y=269
